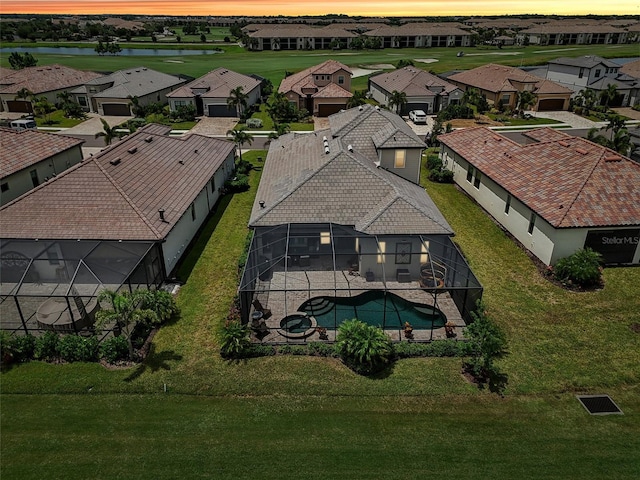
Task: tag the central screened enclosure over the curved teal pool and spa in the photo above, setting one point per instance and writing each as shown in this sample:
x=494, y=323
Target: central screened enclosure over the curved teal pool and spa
x=302, y=281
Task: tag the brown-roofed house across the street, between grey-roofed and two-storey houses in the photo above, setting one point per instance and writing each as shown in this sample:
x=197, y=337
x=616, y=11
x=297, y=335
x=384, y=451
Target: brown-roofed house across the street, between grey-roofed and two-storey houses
x=209, y=93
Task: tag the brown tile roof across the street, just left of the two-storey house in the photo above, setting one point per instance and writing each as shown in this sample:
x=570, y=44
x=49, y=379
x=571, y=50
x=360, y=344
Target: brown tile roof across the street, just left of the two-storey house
x=219, y=83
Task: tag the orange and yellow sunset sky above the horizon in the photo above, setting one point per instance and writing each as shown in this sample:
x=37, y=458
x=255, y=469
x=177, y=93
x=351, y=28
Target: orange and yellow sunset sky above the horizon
x=297, y=7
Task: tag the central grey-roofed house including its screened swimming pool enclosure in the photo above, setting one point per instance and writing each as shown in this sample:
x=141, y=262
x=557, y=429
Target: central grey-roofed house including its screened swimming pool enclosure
x=339, y=219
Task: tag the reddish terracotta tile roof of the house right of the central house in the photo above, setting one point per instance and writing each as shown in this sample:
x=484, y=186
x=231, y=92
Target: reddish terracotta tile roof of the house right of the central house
x=568, y=181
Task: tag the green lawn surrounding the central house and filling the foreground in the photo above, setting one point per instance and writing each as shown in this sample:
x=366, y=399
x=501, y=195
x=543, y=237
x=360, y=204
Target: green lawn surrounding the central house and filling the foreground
x=298, y=417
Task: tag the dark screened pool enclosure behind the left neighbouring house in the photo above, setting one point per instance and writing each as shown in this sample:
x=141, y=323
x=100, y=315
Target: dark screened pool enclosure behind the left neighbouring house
x=53, y=284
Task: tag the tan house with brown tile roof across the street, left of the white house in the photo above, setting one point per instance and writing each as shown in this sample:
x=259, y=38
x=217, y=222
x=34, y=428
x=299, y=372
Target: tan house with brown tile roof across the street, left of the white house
x=500, y=83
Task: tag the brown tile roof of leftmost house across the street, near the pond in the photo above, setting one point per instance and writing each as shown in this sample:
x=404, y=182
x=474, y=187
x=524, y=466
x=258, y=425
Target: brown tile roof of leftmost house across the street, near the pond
x=46, y=78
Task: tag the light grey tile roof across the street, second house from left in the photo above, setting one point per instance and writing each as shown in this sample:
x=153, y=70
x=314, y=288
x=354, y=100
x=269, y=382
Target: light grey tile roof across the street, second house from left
x=134, y=82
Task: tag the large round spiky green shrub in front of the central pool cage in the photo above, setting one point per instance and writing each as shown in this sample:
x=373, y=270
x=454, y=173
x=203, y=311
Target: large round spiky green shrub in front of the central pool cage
x=363, y=348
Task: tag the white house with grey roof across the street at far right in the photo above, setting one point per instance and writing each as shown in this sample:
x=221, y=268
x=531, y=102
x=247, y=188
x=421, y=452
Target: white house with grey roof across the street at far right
x=596, y=73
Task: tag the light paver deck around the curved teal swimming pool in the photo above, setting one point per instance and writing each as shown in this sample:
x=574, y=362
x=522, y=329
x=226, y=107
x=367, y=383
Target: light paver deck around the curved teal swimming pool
x=284, y=293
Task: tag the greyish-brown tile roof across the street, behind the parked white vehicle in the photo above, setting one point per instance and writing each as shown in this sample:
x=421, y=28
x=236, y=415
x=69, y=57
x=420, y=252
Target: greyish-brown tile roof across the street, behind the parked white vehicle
x=413, y=81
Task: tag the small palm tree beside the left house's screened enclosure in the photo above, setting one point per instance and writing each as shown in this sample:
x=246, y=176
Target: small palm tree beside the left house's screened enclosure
x=125, y=310
